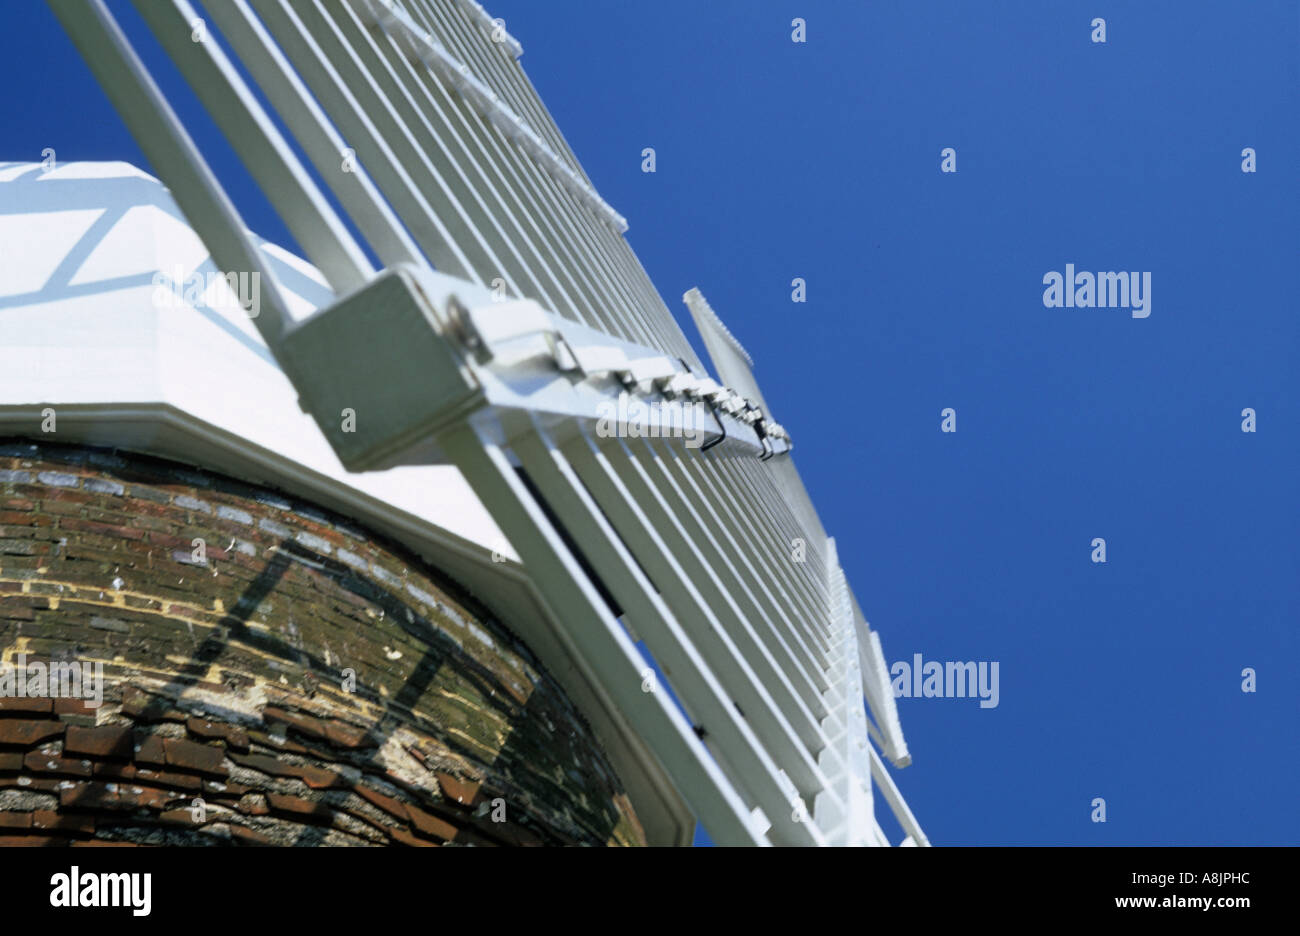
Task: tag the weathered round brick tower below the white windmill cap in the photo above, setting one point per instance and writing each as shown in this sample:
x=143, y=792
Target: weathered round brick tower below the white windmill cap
x=272, y=674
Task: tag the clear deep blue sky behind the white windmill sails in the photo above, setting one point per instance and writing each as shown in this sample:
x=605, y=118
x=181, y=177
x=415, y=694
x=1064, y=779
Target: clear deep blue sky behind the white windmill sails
x=925, y=291
